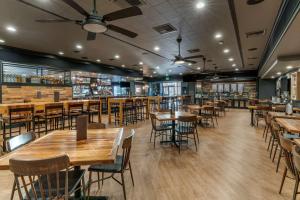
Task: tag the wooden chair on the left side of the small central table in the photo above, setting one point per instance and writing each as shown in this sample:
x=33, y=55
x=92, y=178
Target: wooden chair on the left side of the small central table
x=158, y=130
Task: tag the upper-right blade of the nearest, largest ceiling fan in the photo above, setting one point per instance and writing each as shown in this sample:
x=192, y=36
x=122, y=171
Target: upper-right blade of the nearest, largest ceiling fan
x=124, y=13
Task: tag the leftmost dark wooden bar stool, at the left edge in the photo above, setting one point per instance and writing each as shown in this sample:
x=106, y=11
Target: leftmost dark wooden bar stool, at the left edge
x=18, y=116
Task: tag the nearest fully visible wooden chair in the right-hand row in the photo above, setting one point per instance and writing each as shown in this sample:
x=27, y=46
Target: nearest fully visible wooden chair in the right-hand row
x=287, y=147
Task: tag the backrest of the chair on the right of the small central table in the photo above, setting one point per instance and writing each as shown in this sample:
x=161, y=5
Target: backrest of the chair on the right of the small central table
x=187, y=124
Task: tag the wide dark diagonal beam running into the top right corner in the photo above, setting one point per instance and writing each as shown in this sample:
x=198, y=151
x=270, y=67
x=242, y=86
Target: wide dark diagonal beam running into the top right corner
x=286, y=15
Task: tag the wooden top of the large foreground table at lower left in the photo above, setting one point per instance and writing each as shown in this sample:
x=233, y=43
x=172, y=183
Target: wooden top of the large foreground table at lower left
x=100, y=147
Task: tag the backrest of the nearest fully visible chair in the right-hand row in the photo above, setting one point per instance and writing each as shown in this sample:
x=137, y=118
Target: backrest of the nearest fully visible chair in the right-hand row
x=287, y=147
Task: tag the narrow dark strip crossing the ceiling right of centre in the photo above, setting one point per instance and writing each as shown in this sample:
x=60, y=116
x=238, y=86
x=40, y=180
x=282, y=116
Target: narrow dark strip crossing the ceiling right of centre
x=236, y=29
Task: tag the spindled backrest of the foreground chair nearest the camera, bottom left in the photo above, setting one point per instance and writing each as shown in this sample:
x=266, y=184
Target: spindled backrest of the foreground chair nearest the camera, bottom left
x=40, y=179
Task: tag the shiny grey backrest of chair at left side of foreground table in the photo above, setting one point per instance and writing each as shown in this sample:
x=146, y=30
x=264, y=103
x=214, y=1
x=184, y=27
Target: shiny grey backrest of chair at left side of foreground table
x=19, y=141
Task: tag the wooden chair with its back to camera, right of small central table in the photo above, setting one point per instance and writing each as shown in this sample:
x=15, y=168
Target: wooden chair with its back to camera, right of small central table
x=187, y=126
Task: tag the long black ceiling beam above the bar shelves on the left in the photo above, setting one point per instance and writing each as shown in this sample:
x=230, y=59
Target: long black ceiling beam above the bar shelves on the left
x=23, y=56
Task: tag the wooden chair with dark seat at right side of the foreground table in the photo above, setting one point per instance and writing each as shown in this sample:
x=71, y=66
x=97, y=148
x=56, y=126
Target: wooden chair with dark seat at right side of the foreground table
x=122, y=163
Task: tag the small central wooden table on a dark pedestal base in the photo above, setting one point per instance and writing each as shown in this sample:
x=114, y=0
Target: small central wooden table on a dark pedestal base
x=167, y=116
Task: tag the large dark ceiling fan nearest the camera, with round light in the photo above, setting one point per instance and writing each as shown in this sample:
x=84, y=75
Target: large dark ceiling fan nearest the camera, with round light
x=93, y=22
